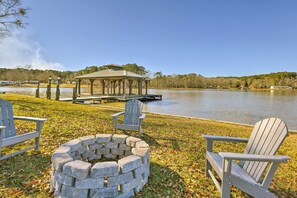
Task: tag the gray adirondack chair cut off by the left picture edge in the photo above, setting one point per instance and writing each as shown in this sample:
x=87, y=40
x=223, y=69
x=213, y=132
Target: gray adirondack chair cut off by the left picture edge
x=8, y=134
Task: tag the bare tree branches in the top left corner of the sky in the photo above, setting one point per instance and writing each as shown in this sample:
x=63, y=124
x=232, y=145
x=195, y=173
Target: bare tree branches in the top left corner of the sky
x=11, y=14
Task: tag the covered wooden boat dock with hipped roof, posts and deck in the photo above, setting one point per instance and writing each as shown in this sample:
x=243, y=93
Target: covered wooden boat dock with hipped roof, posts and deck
x=115, y=84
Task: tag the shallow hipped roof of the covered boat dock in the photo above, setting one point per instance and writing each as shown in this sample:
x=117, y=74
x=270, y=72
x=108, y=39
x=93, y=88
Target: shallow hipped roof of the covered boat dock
x=109, y=73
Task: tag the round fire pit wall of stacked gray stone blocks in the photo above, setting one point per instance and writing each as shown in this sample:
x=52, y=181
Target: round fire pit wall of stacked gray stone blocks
x=75, y=172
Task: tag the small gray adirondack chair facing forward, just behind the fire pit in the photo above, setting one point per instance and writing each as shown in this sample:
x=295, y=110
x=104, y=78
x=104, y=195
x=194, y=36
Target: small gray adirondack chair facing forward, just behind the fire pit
x=133, y=117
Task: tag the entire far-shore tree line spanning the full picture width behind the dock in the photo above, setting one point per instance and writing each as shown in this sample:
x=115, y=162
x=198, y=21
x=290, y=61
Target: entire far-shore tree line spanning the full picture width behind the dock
x=158, y=80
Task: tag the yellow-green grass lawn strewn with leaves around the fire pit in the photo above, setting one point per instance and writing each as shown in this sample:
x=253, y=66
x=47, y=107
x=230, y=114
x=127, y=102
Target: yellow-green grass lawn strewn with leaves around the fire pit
x=177, y=150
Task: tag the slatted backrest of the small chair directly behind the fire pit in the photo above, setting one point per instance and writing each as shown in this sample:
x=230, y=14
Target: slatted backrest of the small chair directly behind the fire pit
x=132, y=112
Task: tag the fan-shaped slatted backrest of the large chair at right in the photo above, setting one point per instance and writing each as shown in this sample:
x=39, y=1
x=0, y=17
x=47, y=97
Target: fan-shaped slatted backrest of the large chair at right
x=265, y=139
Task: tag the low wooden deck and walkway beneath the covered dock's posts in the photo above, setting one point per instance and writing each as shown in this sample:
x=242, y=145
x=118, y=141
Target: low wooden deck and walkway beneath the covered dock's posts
x=99, y=98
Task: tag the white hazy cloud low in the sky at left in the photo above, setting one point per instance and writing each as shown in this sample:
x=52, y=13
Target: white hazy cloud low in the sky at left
x=18, y=50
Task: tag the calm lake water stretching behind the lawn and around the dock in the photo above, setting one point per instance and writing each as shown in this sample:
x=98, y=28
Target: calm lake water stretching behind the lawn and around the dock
x=241, y=106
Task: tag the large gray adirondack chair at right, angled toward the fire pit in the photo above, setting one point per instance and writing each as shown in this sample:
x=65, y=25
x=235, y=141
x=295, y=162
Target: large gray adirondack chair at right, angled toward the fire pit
x=258, y=163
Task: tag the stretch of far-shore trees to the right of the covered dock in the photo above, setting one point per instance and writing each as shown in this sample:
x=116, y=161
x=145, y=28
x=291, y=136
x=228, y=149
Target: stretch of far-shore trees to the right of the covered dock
x=193, y=80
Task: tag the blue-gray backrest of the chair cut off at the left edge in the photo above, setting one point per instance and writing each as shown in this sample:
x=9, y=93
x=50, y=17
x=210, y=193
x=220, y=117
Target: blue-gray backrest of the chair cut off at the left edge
x=7, y=118
